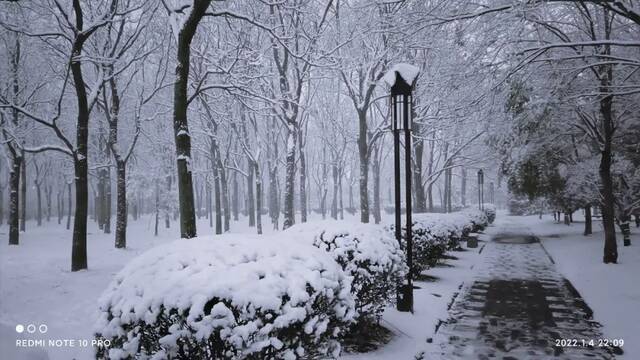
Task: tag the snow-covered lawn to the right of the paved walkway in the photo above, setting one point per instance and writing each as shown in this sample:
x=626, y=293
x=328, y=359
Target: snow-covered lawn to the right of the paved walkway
x=612, y=291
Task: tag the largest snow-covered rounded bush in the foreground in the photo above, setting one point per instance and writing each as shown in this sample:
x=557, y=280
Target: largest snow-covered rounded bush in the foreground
x=226, y=298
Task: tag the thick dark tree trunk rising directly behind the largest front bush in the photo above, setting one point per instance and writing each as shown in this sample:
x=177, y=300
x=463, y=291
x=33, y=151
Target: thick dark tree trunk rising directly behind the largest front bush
x=180, y=122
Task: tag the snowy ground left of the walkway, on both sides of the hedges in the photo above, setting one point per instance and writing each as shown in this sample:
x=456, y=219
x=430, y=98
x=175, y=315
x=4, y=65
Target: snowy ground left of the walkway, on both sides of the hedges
x=37, y=287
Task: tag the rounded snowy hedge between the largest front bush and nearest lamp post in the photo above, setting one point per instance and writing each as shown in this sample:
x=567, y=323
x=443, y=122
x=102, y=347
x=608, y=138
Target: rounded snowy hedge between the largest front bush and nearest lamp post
x=366, y=252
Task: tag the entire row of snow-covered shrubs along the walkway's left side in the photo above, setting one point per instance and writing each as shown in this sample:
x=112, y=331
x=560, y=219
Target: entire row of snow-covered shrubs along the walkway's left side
x=290, y=295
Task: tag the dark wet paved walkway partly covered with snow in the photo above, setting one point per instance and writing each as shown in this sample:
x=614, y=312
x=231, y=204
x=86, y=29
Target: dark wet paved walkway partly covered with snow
x=517, y=308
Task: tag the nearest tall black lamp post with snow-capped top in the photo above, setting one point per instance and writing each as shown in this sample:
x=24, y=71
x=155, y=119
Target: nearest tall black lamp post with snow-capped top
x=401, y=78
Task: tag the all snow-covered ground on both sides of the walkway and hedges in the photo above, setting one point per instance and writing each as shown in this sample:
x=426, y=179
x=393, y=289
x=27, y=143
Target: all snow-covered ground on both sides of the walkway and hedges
x=37, y=287
